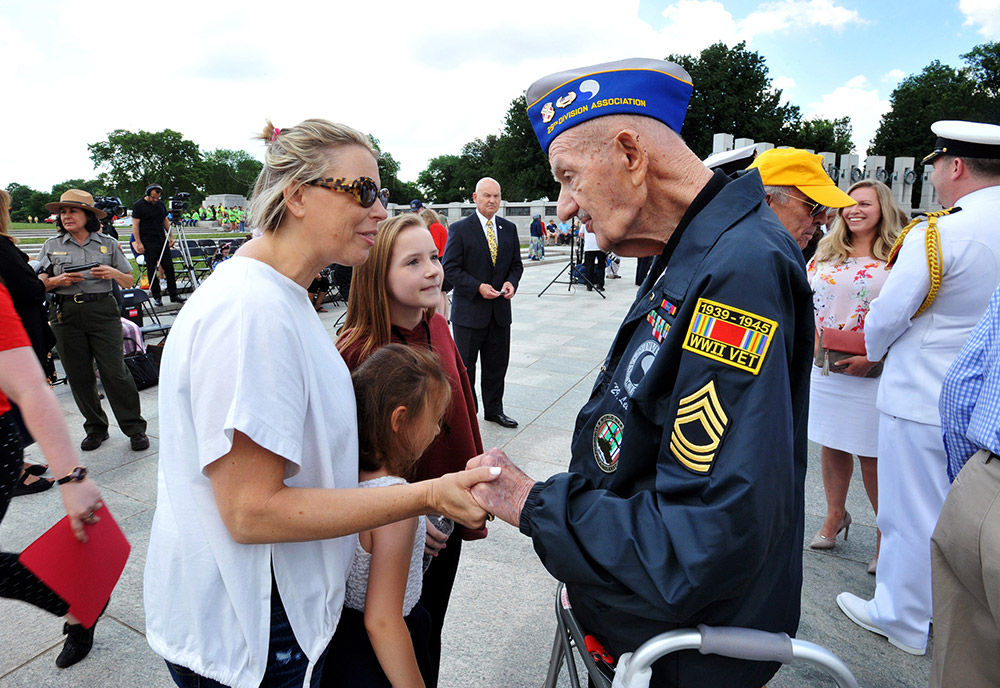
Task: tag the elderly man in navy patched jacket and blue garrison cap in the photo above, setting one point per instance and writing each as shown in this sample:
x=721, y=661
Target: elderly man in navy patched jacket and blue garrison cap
x=683, y=504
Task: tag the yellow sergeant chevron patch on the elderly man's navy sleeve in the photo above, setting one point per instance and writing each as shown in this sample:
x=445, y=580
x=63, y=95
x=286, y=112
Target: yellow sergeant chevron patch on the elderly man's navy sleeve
x=698, y=429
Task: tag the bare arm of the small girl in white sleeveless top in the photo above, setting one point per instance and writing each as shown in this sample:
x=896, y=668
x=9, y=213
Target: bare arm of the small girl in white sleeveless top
x=392, y=548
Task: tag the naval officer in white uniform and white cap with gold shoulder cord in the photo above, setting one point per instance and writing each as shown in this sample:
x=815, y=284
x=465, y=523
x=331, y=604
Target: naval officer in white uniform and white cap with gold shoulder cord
x=918, y=323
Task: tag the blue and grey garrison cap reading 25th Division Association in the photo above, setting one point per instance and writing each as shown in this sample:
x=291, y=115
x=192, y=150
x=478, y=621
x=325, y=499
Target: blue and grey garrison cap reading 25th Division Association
x=637, y=86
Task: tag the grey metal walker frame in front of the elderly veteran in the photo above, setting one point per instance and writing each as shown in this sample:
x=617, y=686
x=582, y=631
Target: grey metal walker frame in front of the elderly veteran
x=740, y=643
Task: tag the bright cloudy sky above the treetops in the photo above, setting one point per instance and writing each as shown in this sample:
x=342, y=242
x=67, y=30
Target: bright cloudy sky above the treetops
x=422, y=77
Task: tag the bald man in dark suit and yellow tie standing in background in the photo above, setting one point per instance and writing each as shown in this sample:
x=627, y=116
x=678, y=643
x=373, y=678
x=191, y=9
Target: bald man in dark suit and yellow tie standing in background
x=483, y=261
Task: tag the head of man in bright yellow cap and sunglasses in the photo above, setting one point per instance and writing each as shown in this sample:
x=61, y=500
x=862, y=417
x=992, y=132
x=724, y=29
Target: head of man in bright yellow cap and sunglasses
x=792, y=174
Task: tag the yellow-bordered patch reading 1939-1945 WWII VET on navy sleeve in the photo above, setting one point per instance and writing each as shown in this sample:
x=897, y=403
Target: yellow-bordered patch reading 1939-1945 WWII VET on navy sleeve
x=730, y=335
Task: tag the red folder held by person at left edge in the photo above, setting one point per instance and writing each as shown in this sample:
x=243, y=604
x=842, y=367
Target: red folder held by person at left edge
x=83, y=574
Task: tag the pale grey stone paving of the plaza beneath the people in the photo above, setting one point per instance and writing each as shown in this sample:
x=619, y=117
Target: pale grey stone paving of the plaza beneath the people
x=501, y=621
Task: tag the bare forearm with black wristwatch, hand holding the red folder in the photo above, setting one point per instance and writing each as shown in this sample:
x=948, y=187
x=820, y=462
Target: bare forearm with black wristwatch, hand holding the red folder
x=21, y=379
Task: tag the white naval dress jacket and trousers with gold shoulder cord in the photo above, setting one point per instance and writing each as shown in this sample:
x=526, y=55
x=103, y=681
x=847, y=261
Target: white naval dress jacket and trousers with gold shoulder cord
x=912, y=467
